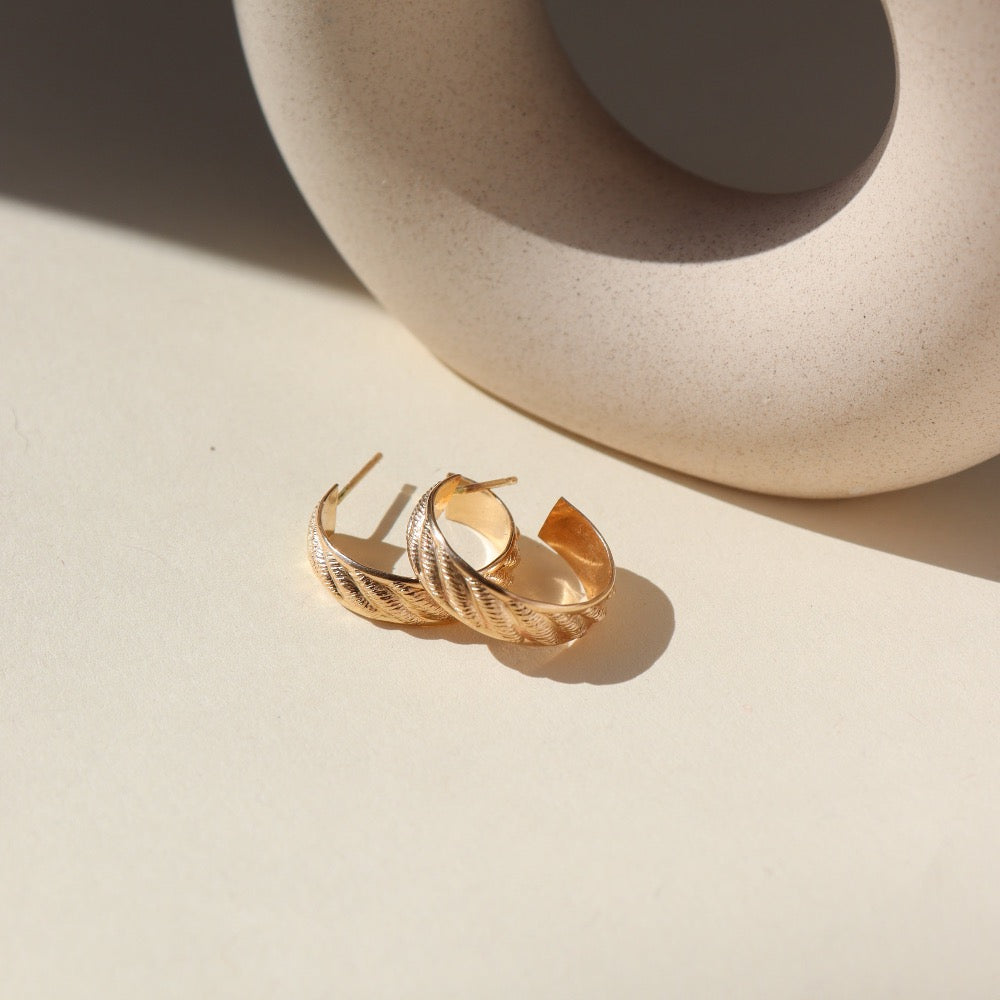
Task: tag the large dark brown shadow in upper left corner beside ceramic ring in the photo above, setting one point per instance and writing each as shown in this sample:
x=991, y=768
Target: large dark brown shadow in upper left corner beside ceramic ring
x=143, y=115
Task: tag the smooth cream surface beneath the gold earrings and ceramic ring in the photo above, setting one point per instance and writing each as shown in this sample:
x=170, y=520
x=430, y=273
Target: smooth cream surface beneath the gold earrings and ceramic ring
x=772, y=771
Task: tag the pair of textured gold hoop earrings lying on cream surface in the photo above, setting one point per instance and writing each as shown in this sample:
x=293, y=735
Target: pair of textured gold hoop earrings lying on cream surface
x=446, y=587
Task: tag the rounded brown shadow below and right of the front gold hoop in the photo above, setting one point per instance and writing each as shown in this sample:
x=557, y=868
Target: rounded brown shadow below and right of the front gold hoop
x=633, y=636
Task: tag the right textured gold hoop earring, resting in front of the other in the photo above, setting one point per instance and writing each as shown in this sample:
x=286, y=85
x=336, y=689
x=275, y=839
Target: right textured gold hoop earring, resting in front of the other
x=487, y=605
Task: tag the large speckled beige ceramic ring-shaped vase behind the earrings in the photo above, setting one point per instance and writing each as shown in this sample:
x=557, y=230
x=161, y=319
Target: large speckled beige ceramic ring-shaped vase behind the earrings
x=825, y=344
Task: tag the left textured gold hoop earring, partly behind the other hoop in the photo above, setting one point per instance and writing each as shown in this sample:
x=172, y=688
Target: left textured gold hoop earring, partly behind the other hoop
x=390, y=597
